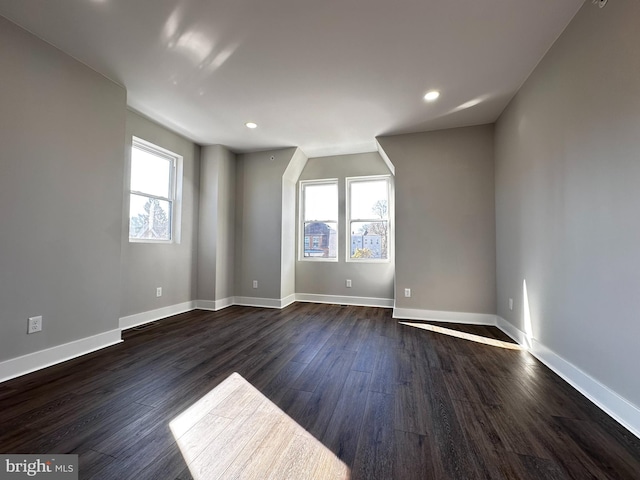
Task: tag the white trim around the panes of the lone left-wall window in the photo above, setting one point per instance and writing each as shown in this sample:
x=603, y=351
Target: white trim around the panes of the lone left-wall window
x=175, y=190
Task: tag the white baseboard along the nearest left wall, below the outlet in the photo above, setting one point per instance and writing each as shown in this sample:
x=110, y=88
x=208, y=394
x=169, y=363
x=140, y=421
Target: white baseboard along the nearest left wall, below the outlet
x=31, y=362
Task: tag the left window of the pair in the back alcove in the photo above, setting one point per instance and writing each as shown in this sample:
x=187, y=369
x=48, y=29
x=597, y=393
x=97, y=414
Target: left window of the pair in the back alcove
x=319, y=225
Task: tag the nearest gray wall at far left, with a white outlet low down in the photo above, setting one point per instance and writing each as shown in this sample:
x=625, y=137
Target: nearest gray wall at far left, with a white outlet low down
x=61, y=148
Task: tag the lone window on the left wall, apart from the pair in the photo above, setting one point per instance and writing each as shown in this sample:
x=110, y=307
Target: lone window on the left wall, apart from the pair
x=152, y=193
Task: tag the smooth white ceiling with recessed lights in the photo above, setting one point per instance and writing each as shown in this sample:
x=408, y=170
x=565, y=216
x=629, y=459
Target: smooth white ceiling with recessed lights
x=326, y=75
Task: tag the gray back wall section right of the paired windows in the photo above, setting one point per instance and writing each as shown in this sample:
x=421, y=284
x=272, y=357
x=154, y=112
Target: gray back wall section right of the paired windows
x=445, y=219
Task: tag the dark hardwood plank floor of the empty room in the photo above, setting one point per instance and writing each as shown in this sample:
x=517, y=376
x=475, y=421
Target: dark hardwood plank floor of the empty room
x=390, y=401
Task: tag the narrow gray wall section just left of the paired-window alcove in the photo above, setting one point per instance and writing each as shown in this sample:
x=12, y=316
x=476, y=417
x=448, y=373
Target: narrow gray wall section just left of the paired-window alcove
x=259, y=178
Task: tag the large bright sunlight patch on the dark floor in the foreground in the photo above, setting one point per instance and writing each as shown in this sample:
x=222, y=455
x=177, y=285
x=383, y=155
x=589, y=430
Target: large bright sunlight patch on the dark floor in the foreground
x=234, y=431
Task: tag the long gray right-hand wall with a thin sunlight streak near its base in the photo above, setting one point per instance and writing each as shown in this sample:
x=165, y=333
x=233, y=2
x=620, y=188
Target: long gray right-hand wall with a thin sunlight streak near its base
x=568, y=197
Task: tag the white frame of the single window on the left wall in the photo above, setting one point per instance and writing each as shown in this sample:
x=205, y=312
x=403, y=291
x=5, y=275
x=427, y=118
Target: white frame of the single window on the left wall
x=175, y=162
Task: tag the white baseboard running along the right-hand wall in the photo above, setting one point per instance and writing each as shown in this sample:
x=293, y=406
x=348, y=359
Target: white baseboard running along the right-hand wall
x=623, y=411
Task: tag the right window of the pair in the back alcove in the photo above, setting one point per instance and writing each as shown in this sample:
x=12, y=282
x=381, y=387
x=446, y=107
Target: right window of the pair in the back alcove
x=368, y=218
